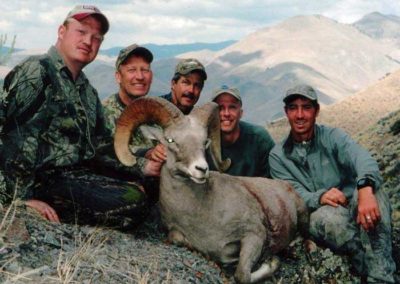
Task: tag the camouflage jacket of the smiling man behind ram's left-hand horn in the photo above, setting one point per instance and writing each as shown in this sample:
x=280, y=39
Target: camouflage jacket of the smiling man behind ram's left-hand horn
x=113, y=107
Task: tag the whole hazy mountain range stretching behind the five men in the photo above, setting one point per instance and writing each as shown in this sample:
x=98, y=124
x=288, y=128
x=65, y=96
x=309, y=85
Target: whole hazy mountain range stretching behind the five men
x=337, y=59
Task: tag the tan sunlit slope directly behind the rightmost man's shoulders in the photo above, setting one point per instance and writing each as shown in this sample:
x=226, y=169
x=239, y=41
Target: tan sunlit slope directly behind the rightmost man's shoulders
x=357, y=112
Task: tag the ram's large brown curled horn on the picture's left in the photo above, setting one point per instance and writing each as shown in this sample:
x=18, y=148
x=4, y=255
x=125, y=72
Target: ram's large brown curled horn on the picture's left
x=140, y=111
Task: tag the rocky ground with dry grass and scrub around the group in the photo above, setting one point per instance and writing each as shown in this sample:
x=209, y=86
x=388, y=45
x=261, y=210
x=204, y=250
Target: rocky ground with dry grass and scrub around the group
x=35, y=251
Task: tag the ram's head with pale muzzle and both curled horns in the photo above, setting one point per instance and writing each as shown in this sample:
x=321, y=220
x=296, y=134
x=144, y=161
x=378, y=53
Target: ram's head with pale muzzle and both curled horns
x=185, y=137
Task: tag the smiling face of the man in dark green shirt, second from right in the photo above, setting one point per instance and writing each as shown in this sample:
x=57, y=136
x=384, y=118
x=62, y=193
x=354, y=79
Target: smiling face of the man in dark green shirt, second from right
x=230, y=112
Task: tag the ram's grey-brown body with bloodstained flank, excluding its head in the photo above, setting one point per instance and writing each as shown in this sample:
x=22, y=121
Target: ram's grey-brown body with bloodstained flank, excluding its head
x=228, y=217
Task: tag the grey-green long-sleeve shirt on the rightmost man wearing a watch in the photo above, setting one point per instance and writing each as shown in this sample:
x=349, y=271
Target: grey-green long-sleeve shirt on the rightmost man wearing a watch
x=333, y=159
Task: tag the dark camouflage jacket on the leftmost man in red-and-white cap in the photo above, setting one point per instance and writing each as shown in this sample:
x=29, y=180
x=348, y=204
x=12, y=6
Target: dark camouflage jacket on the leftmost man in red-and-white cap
x=48, y=121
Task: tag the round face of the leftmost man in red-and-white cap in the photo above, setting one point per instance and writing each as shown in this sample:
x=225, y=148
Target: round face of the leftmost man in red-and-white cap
x=79, y=42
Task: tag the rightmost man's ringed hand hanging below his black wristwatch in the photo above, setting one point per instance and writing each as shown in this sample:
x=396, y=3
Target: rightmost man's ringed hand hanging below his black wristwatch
x=368, y=208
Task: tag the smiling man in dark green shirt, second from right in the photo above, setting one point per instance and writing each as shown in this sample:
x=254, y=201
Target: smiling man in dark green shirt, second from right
x=245, y=144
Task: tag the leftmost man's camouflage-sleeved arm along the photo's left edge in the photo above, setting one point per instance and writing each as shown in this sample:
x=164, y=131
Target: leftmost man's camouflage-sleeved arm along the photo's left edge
x=23, y=88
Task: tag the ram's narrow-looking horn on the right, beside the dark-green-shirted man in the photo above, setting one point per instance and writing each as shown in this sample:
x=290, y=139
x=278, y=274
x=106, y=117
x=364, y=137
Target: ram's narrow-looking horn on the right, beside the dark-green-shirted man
x=208, y=115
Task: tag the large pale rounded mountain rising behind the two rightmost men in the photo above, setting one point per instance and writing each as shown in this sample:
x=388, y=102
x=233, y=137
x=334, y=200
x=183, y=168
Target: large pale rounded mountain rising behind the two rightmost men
x=312, y=49
